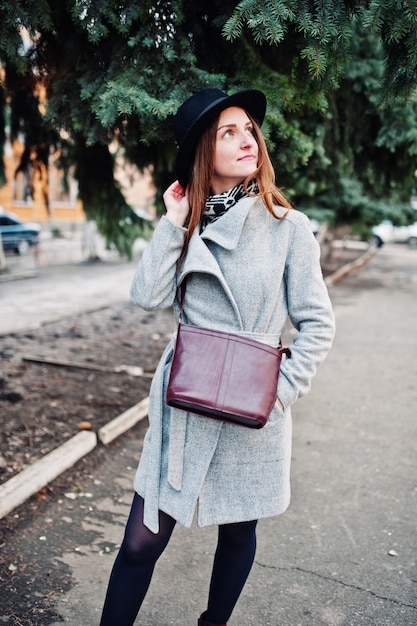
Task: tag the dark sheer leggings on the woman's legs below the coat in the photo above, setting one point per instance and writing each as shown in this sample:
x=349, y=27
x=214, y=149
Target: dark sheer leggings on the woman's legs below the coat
x=140, y=549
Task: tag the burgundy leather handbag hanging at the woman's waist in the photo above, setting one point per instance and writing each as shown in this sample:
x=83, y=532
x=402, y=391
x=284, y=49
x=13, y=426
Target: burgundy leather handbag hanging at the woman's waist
x=223, y=375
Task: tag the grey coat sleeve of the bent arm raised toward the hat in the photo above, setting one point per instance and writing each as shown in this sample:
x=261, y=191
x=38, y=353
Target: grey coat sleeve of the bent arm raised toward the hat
x=154, y=284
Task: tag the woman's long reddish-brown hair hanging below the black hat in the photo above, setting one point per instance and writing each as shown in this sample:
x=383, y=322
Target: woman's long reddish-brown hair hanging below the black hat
x=203, y=169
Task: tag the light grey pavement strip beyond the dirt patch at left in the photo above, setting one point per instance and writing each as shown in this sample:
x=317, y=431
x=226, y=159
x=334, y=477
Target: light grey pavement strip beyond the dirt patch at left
x=59, y=283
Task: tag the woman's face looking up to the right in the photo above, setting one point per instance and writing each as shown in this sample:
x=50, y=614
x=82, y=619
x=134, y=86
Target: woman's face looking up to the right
x=236, y=150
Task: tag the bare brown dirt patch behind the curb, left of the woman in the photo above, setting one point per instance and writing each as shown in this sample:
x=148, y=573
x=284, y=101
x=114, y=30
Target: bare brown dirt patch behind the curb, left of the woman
x=42, y=403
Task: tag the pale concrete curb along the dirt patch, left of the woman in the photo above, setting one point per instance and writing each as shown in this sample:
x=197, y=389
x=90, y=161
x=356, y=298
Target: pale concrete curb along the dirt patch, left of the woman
x=33, y=478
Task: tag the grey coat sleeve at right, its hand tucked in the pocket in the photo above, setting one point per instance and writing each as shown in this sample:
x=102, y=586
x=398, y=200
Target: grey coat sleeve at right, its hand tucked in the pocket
x=310, y=312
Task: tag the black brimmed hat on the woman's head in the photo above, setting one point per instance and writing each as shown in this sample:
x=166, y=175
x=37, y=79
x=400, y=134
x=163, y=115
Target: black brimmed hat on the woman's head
x=196, y=113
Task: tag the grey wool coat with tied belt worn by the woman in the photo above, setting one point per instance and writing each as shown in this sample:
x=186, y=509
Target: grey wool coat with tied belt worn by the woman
x=246, y=273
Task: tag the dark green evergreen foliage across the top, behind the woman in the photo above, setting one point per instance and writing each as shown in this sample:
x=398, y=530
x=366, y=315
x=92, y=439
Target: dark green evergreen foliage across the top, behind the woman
x=333, y=72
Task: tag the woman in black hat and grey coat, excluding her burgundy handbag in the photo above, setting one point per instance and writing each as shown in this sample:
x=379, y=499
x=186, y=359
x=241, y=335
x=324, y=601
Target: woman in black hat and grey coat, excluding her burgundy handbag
x=251, y=261
